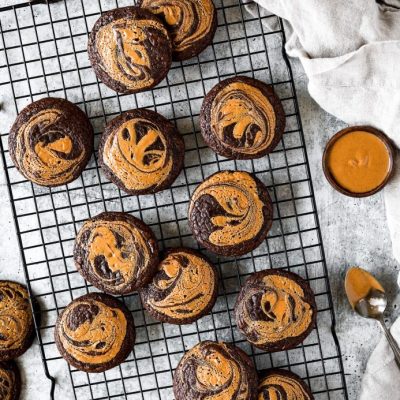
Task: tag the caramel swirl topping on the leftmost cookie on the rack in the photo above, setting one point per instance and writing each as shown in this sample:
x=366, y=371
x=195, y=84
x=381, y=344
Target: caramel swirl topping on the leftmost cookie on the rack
x=45, y=151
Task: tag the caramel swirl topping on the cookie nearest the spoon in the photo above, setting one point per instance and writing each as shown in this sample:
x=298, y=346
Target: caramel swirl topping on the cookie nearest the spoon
x=273, y=309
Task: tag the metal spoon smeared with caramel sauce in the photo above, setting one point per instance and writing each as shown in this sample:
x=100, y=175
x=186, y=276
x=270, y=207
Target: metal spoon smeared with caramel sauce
x=372, y=305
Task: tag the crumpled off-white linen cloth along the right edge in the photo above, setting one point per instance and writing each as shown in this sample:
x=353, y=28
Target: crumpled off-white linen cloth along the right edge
x=350, y=50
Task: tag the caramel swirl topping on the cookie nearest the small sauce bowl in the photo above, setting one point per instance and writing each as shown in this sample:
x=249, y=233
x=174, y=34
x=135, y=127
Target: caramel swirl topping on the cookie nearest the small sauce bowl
x=243, y=118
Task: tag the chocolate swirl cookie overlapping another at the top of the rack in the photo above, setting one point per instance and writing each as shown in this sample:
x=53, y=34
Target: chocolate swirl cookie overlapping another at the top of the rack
x=130, y=49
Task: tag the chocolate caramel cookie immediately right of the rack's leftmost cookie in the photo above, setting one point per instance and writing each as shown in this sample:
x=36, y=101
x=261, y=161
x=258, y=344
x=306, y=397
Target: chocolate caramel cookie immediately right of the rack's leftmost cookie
x=141, y=152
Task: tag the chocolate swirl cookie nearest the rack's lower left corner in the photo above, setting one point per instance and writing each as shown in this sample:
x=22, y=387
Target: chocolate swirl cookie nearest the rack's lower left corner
x=95, y=332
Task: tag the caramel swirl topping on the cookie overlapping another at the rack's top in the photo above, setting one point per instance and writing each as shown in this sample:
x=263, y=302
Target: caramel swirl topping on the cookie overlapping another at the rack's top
x=126, y=48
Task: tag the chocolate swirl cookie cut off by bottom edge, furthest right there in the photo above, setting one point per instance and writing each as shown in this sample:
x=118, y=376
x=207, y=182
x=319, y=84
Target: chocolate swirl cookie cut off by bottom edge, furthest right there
x=283, y=384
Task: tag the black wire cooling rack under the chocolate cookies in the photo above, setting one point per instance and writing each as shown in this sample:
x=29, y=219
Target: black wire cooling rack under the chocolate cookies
x=43, y=53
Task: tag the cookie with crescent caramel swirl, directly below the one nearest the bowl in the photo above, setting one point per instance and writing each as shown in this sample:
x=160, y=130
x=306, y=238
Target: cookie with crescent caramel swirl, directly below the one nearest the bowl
x=230, y=213
